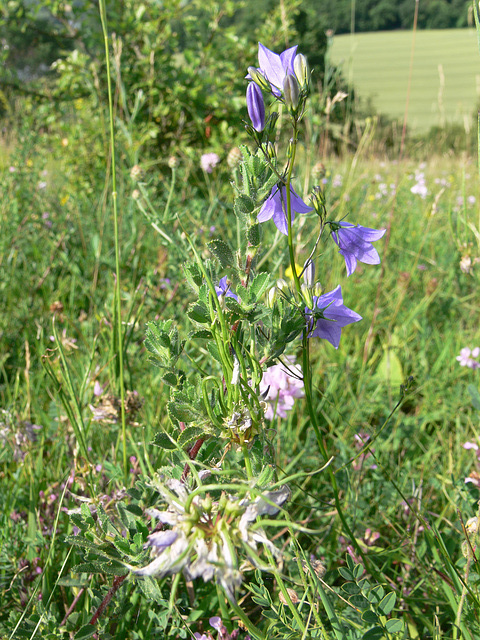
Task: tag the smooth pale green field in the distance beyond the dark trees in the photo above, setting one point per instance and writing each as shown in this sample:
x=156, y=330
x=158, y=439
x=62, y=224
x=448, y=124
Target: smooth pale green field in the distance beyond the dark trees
x=445, y=81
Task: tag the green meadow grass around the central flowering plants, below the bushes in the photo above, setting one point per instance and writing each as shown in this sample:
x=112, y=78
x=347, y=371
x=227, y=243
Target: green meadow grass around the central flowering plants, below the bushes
x=405, y=495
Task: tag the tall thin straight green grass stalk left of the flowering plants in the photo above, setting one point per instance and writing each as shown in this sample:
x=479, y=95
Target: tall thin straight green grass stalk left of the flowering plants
x=117, y=302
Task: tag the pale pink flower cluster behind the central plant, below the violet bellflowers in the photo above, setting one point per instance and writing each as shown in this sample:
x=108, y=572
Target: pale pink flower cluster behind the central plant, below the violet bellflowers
x=280, y=385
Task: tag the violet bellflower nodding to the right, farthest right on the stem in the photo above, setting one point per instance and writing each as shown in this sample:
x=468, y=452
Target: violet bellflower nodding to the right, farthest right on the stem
x=355, y=244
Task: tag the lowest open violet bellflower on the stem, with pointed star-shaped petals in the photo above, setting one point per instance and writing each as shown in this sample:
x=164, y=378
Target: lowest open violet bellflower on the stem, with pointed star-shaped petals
x=334, y=315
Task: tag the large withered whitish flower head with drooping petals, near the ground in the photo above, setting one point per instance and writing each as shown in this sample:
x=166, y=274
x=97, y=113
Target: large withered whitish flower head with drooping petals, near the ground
x=205, y=534
